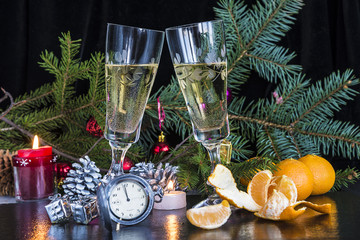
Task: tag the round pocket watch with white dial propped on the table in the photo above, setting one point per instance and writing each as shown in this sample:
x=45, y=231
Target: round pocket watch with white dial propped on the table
x=126, y=200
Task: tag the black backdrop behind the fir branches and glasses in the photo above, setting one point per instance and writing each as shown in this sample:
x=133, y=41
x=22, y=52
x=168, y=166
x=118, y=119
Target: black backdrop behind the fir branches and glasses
x=326, y=36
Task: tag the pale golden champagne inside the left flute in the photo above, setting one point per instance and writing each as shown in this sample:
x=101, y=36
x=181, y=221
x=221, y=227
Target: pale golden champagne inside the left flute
x=128, y=88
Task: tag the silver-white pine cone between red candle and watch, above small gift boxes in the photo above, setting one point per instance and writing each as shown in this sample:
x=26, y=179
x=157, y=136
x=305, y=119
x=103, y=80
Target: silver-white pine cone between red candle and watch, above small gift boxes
x=83, y=180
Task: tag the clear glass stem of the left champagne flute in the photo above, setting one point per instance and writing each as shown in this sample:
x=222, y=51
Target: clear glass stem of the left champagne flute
x=118, y=152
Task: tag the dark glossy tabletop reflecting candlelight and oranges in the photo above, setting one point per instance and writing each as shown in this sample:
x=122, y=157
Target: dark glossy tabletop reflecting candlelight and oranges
x=29, y=220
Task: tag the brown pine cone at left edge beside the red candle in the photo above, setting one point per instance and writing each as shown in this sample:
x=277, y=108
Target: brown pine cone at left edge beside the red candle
x=6, y=173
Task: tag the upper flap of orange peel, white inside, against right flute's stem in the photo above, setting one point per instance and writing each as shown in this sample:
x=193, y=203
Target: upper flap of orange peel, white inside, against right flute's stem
x=221, y=177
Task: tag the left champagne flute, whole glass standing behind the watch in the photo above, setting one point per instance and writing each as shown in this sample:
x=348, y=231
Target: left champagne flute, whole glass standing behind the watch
x=131, y=62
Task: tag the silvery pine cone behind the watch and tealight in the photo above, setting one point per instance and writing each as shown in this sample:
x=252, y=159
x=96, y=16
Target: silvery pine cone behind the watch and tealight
x=157, y=176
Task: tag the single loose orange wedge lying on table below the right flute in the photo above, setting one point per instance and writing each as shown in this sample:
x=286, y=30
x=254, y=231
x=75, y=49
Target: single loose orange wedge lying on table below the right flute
x=209, y=217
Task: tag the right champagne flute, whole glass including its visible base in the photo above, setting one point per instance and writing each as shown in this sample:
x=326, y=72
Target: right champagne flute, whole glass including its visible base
x=198, y=53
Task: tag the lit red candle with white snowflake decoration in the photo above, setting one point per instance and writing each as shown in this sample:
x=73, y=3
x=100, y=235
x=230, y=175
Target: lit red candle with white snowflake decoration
x=34, y=172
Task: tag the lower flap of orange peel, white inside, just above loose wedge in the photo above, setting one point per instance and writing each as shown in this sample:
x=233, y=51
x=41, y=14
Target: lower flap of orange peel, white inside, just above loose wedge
x=238, y=198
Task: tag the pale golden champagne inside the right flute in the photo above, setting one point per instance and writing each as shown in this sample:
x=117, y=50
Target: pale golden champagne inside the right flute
x=204, y=91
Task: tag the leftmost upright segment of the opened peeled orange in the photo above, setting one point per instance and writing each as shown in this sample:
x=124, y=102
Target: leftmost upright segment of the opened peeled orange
x=258, y=187
